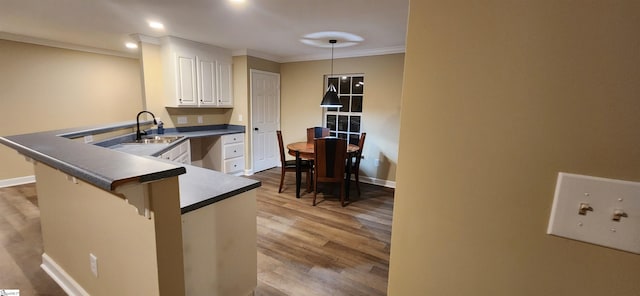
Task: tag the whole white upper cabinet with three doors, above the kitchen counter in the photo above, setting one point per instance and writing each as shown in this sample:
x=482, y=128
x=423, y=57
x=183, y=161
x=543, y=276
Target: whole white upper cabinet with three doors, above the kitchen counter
x=196, y=74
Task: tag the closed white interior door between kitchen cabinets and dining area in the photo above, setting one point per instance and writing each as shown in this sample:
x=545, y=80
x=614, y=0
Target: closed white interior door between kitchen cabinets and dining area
x=265, y=119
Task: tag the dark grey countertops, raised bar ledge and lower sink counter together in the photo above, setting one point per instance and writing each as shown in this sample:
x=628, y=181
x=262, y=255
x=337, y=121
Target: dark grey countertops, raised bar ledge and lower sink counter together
x=109, y=168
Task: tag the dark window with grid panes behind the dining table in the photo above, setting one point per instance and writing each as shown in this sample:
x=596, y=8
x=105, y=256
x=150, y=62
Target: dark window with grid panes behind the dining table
x=344, y=122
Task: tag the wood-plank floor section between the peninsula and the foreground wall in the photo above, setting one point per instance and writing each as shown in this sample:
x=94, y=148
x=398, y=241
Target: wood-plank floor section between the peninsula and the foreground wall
x=322, y=250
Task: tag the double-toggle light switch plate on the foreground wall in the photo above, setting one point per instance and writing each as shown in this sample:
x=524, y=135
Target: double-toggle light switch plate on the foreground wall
x=585, y=208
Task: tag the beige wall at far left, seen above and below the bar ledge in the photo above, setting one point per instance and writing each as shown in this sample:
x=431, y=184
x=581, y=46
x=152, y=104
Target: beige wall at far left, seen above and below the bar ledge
x=45, y=88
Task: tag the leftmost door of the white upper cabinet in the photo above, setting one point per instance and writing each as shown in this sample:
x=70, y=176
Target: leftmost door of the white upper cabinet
x=186, y=80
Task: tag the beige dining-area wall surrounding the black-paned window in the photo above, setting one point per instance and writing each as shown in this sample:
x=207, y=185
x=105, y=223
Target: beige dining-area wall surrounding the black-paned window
x=302, y=90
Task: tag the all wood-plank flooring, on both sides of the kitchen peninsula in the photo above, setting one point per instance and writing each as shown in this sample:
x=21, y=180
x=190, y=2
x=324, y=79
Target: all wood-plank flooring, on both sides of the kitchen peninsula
x=302, y=250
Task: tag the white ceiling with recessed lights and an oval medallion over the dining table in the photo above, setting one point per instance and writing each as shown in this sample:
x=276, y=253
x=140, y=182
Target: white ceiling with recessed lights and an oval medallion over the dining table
x=265, y=28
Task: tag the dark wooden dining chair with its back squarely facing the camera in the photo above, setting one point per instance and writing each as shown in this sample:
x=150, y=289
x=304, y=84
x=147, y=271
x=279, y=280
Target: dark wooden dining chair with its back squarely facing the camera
x=329, y=159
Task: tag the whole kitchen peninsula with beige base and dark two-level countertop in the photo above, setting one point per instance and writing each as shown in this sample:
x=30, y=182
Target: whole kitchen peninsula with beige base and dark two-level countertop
x=117, y=223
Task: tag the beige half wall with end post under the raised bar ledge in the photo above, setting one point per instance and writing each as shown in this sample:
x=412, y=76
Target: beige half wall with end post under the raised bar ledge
x=135, y=255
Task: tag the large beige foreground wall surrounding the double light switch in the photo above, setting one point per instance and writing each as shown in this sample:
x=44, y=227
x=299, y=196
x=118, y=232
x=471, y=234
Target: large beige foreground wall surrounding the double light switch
x=498, y=97
